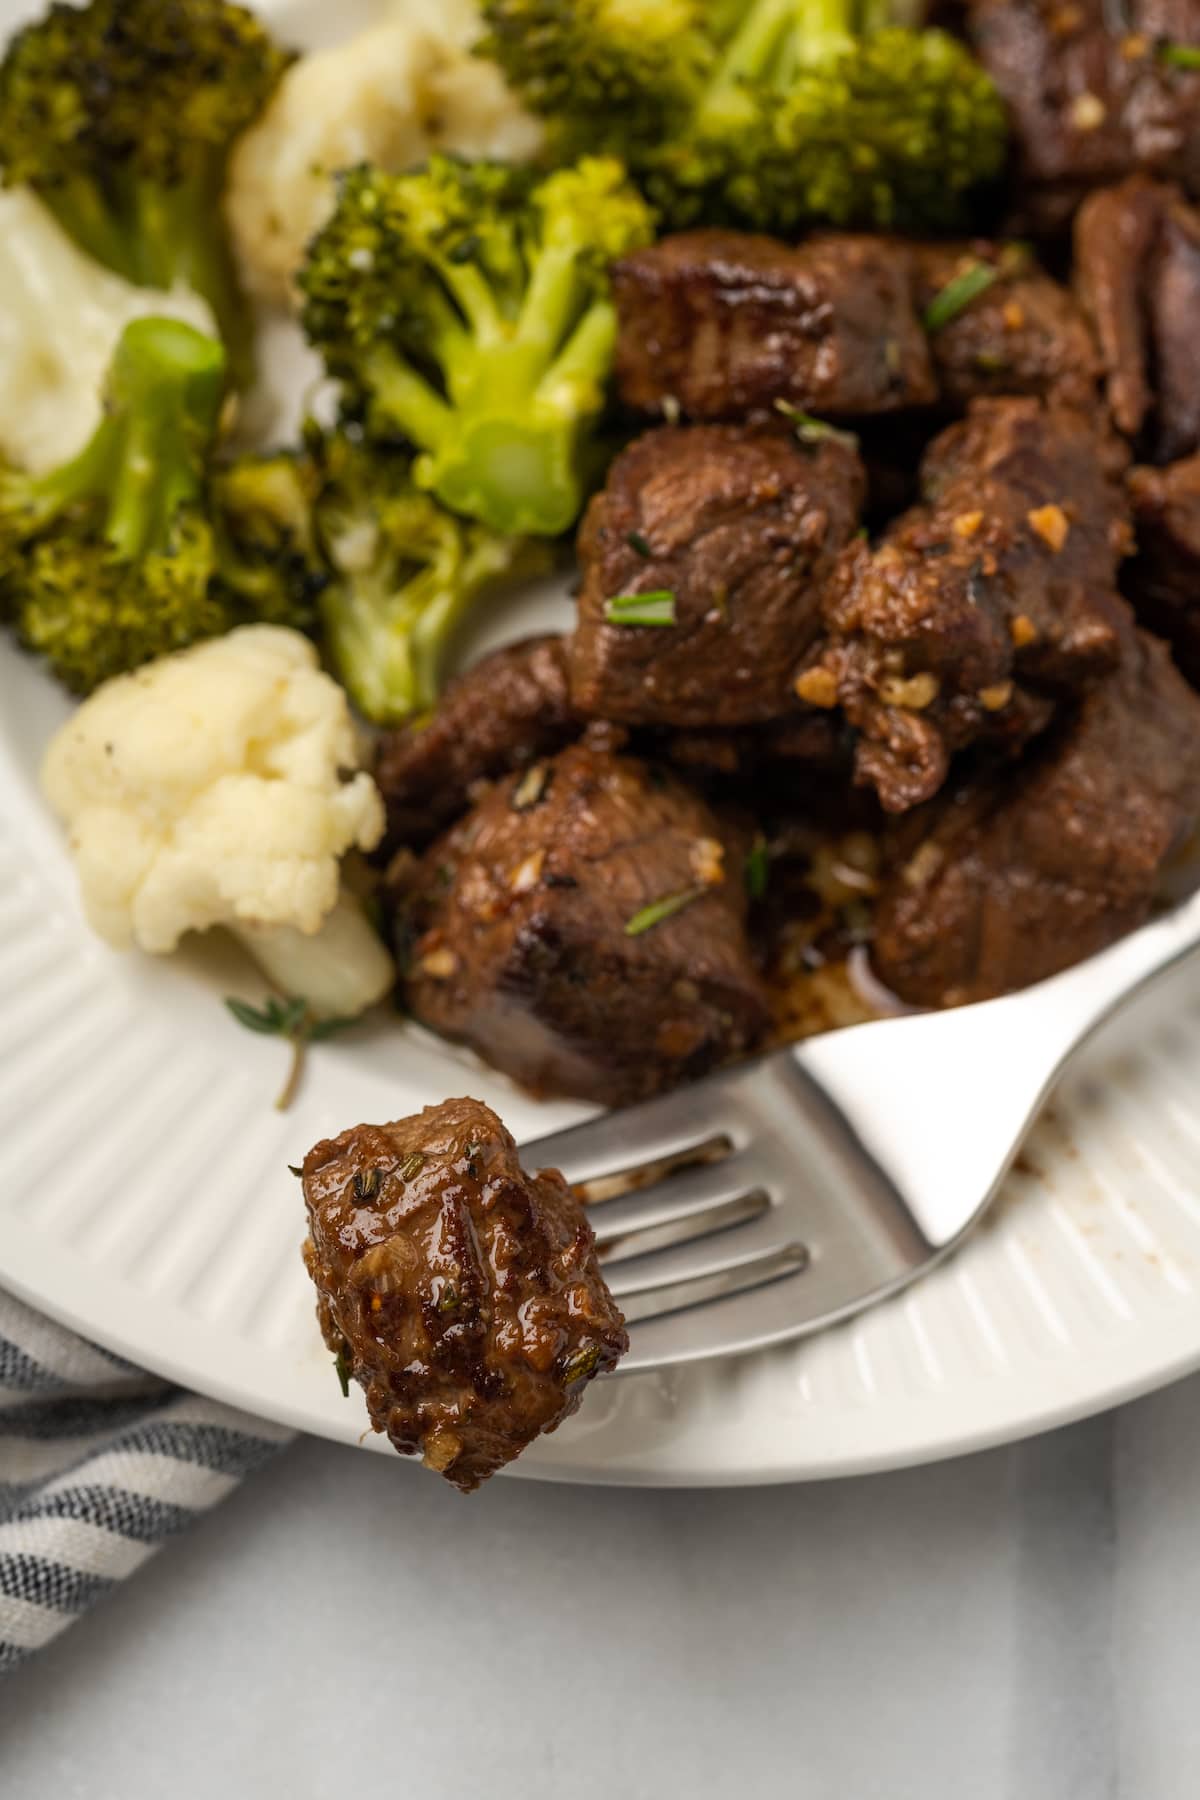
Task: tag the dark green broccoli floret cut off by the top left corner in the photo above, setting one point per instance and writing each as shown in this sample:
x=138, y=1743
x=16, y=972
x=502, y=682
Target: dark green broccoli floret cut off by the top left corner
x=121, y=114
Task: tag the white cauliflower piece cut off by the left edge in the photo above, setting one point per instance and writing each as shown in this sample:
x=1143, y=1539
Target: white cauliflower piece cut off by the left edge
x=60, y=323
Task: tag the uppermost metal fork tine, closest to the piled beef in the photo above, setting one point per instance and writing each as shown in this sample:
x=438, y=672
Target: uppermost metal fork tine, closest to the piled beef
x=627, y=1140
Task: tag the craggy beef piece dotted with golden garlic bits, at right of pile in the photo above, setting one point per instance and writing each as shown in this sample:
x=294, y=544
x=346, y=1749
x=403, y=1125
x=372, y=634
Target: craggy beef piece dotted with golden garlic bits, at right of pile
x=981, y=604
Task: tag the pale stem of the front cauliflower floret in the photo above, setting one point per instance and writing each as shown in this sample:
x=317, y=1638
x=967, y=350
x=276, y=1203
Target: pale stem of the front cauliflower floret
x=339, y=971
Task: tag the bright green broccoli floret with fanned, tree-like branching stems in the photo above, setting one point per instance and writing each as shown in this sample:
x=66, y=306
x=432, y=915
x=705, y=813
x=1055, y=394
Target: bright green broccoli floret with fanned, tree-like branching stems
x=467, y=310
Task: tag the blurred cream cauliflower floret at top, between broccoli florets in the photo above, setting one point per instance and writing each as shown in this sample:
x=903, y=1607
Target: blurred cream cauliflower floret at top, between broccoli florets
x=393, y=94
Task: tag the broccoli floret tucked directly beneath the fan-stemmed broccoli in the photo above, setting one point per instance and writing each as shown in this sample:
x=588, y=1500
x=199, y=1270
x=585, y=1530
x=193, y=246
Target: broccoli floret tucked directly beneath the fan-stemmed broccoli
x=406, y=575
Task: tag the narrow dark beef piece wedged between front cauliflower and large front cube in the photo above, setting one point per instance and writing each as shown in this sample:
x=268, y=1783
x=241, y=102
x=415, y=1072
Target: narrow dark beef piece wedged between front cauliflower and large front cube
x=501, y=715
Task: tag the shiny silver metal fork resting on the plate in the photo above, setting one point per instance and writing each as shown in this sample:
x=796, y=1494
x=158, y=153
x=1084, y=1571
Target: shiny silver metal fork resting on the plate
x=819, y=1180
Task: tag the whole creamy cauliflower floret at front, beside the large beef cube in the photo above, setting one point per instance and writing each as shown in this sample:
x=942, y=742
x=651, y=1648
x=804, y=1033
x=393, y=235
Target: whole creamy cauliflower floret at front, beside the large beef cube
x=222, y=787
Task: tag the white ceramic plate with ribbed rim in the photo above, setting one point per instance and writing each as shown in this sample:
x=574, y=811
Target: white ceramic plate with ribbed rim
x=145, y=1200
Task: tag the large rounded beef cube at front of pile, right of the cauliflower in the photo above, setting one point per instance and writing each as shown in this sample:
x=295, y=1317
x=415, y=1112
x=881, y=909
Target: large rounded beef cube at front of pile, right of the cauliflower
x=584, y=931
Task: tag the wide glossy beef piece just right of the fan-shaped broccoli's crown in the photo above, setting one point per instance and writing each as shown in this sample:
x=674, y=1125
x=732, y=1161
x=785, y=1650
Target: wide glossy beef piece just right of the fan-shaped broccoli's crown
x=721, y=325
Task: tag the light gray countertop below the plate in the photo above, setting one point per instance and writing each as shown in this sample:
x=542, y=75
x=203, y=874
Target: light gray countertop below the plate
x=1016, y=1626
